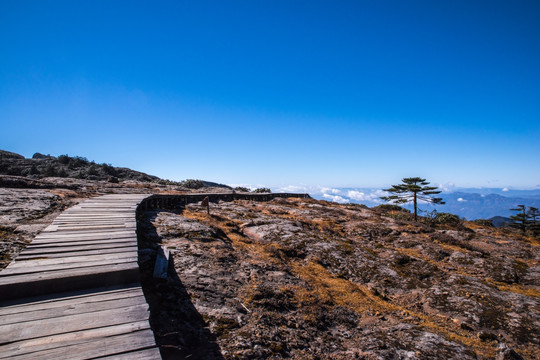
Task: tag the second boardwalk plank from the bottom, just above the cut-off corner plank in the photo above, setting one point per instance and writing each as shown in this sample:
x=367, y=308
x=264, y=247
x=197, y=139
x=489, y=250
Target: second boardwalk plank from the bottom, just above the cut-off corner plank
x=106, y=346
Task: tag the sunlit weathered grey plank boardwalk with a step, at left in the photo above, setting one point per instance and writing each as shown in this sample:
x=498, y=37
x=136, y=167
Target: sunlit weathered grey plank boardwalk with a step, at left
x=73, y=293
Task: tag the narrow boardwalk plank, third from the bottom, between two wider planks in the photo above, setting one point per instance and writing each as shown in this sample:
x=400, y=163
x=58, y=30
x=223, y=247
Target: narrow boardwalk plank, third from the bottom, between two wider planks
x=76, y=337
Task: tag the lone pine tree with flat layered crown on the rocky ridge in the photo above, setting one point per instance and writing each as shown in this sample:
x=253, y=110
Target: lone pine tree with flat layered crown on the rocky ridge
x=413, y=189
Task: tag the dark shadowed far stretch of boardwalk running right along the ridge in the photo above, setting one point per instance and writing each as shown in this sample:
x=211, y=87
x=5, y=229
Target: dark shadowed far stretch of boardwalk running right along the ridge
x=180, y=201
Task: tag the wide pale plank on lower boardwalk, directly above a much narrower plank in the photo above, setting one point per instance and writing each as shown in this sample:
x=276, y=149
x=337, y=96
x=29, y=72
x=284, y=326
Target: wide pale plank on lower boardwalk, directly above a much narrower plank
x=65, y=324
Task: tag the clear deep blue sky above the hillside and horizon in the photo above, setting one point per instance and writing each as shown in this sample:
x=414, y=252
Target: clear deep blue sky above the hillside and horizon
x=337, y=93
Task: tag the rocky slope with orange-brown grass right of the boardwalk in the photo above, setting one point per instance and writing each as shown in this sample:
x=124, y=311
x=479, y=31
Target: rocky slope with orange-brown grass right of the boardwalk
x=305, y=279
